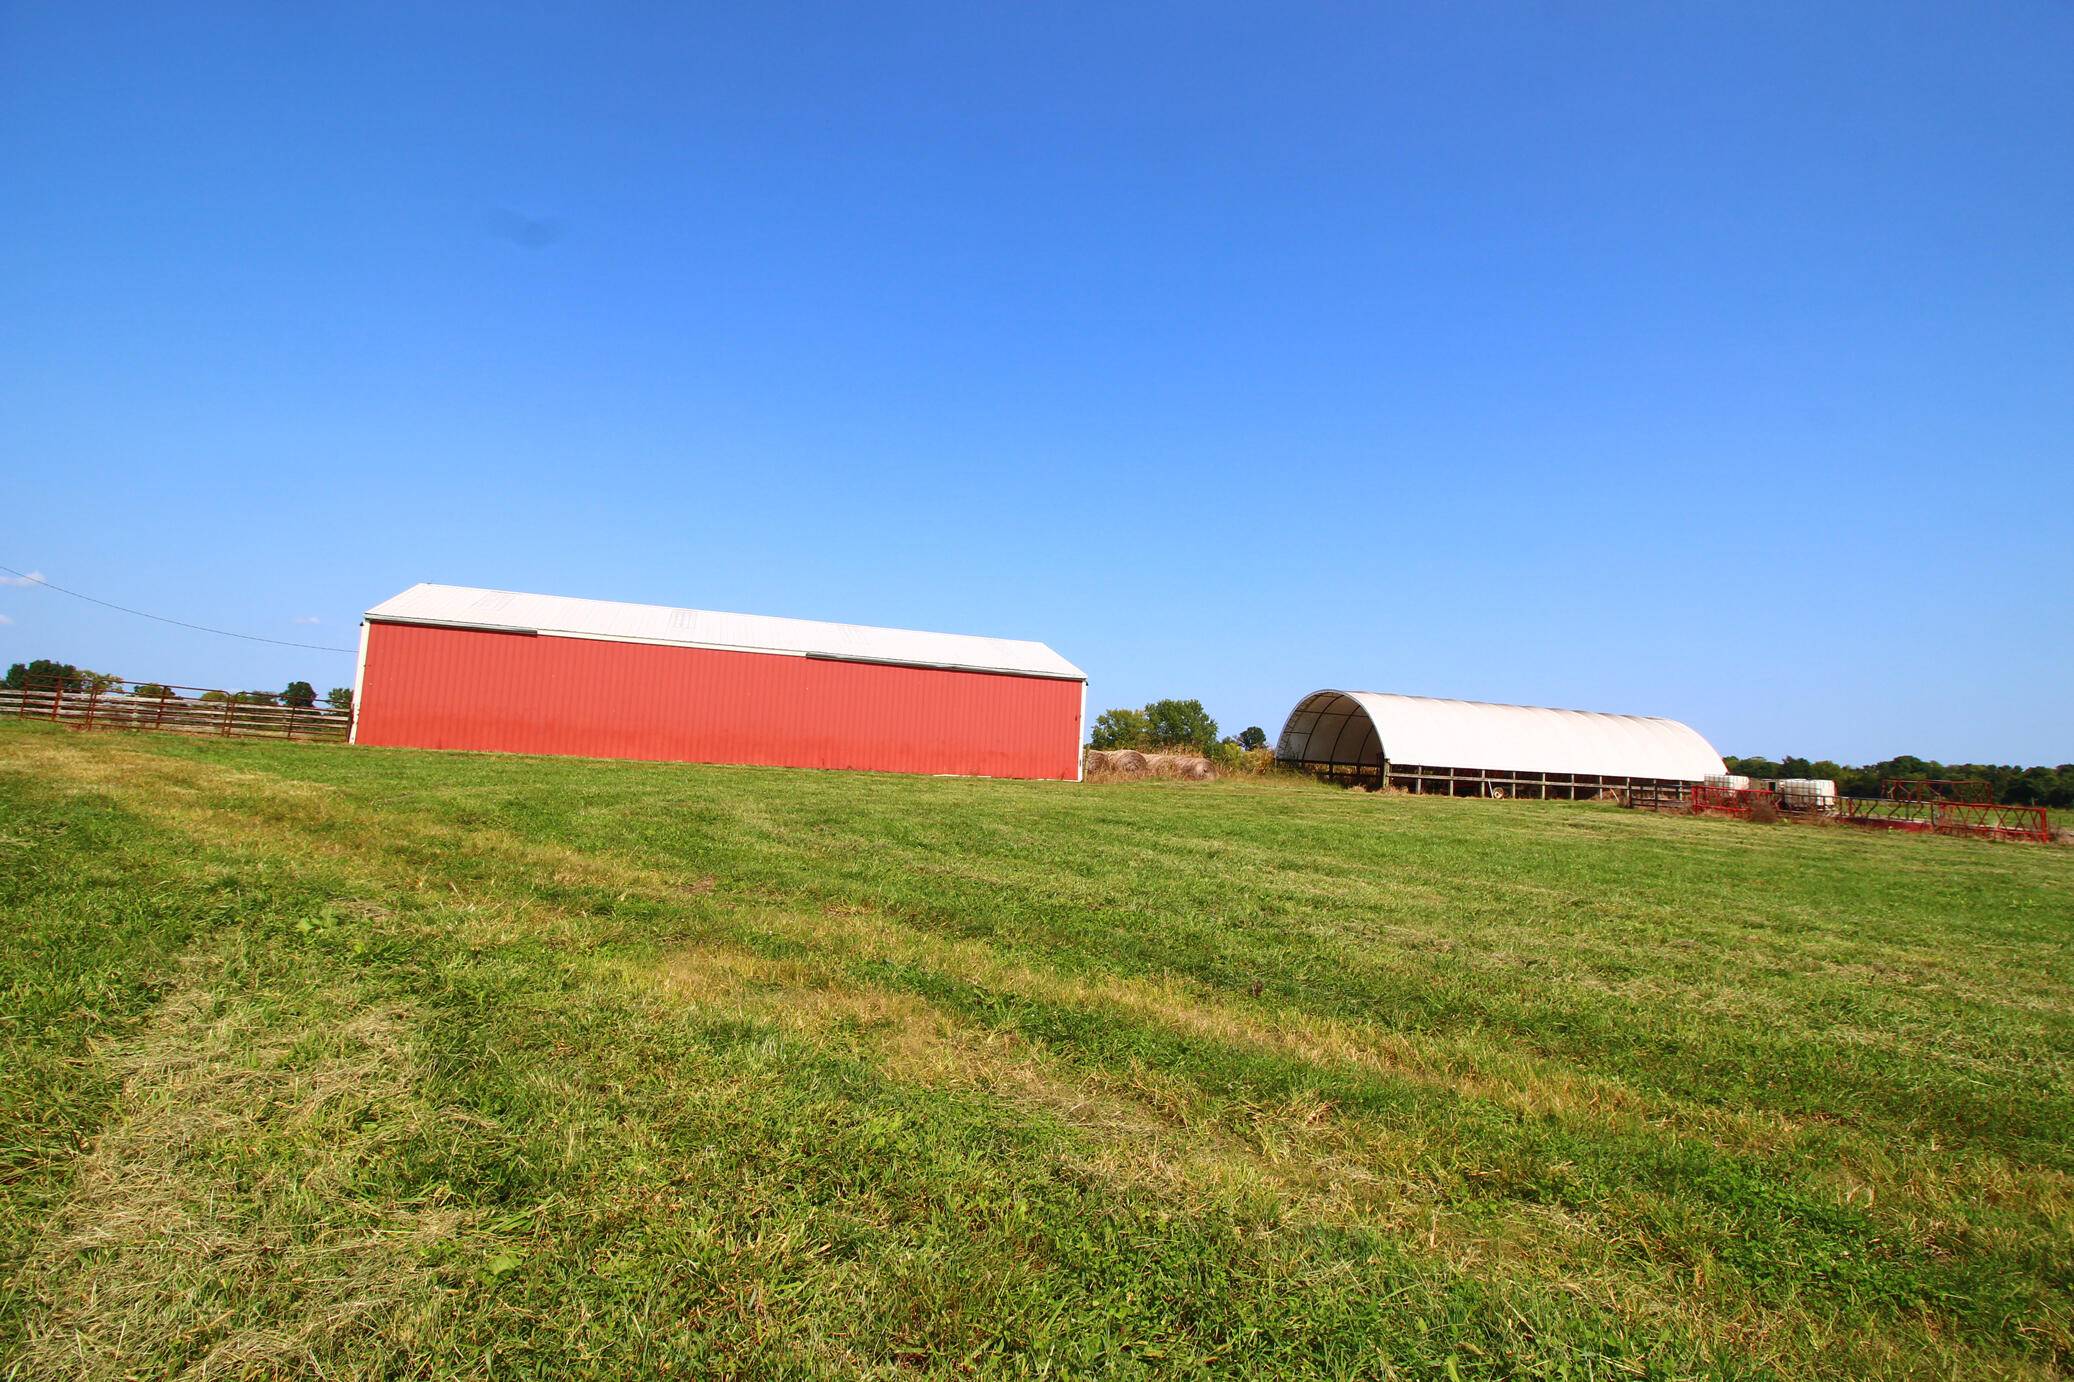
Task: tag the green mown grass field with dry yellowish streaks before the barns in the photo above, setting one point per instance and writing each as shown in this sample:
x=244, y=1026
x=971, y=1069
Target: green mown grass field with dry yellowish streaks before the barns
x=381, y=1063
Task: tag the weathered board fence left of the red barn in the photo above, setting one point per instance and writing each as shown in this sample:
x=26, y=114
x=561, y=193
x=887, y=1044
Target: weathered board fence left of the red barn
x=175, y=711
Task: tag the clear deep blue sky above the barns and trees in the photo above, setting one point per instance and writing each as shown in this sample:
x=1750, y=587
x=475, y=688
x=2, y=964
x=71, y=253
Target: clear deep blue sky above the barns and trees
x=1704, y=360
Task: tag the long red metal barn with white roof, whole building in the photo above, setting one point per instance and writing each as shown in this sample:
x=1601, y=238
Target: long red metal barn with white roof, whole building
x=447, y=667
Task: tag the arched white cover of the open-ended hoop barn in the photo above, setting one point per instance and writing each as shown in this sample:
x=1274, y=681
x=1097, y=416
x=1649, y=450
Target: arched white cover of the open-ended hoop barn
x=1364, y=727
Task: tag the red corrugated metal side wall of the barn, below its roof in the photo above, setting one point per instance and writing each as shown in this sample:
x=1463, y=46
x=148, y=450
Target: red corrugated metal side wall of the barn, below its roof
x=526, y=694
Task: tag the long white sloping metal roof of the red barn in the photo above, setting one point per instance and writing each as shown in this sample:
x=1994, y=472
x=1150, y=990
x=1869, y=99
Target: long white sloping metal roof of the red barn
x=466, y=607
